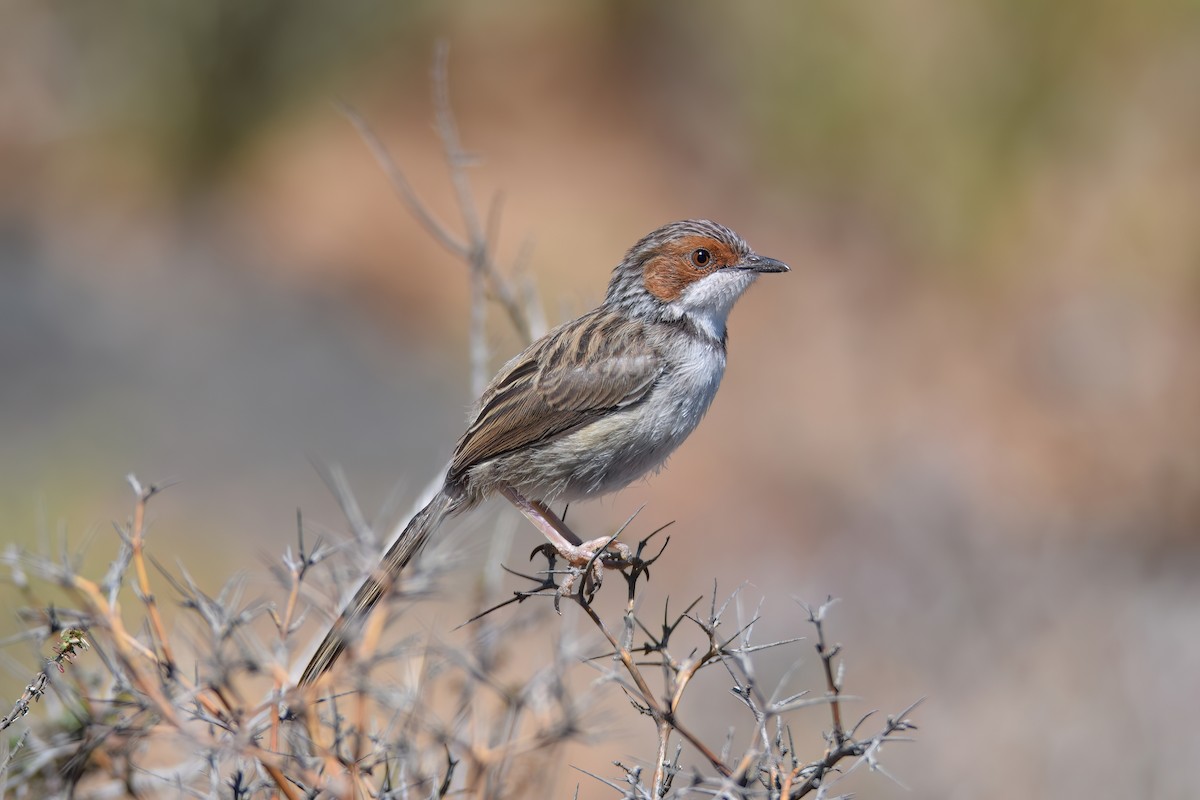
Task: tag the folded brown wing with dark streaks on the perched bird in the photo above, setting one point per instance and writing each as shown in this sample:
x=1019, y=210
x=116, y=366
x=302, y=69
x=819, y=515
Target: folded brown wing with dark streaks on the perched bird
x=589, y=368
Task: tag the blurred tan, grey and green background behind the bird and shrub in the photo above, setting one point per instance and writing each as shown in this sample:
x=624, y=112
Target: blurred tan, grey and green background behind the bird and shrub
x=970, y=412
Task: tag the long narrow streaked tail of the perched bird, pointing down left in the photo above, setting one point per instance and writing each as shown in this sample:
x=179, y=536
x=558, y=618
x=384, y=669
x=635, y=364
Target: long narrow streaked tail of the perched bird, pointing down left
x=377, y=586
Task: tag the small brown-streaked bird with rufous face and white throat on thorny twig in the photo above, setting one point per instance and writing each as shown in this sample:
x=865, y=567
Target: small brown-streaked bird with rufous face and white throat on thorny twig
x=591, y=407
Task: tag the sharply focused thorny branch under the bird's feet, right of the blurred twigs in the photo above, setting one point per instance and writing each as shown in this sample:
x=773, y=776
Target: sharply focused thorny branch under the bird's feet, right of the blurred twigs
x=769, y=767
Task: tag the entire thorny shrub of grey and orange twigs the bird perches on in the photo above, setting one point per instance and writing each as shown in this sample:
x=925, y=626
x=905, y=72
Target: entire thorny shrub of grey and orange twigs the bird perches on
x=392, y=739
